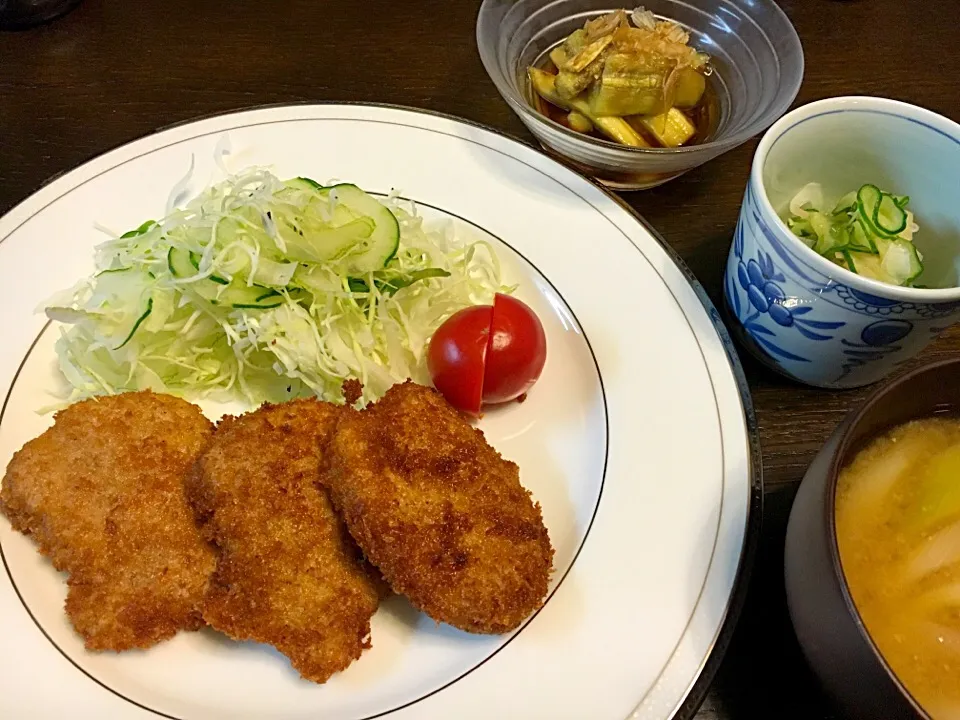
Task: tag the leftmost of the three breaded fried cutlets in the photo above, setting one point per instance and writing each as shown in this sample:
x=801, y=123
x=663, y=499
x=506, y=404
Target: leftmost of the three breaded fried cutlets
x=101, y=493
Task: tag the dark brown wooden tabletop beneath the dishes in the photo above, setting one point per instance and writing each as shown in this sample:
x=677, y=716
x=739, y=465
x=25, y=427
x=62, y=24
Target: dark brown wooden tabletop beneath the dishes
x=112, y=71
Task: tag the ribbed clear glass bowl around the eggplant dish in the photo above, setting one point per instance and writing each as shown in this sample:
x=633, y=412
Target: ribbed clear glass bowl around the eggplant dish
x=755, y=53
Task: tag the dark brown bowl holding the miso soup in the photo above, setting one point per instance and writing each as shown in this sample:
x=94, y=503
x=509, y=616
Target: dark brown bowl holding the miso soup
x=828, y=625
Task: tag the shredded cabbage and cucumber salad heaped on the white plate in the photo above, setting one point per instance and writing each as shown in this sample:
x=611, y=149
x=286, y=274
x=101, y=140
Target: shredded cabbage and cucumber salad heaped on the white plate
x=265, y=290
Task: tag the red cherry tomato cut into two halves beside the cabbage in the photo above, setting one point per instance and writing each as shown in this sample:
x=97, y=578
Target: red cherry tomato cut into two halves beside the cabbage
x=487, y=354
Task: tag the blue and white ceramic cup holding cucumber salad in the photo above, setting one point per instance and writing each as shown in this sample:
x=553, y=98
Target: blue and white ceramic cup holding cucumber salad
x=805, y=316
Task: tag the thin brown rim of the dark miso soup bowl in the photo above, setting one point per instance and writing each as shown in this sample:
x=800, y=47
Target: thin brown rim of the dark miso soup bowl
x=833, y=475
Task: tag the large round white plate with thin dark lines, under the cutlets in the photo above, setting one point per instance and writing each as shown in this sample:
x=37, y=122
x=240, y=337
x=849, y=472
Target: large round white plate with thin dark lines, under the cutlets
x=635, y=442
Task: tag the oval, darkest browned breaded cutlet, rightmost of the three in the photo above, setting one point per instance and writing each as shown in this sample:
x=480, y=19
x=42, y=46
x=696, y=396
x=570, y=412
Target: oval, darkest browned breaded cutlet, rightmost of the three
x=439, y=512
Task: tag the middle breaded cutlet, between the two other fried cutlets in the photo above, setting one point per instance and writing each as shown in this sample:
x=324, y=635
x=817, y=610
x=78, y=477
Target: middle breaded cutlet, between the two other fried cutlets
x=288, y=573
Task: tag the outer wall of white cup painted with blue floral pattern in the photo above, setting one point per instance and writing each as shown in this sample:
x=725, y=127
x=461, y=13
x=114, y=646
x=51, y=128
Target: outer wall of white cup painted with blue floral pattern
x=809, y=326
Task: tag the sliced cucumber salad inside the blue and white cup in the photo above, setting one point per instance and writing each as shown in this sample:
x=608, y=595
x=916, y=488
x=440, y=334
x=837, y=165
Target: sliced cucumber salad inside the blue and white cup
x=868, y=231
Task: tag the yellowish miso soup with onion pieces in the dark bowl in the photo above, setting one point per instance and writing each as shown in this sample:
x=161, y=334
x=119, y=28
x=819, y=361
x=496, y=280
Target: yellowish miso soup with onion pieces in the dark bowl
x=898, y=531
